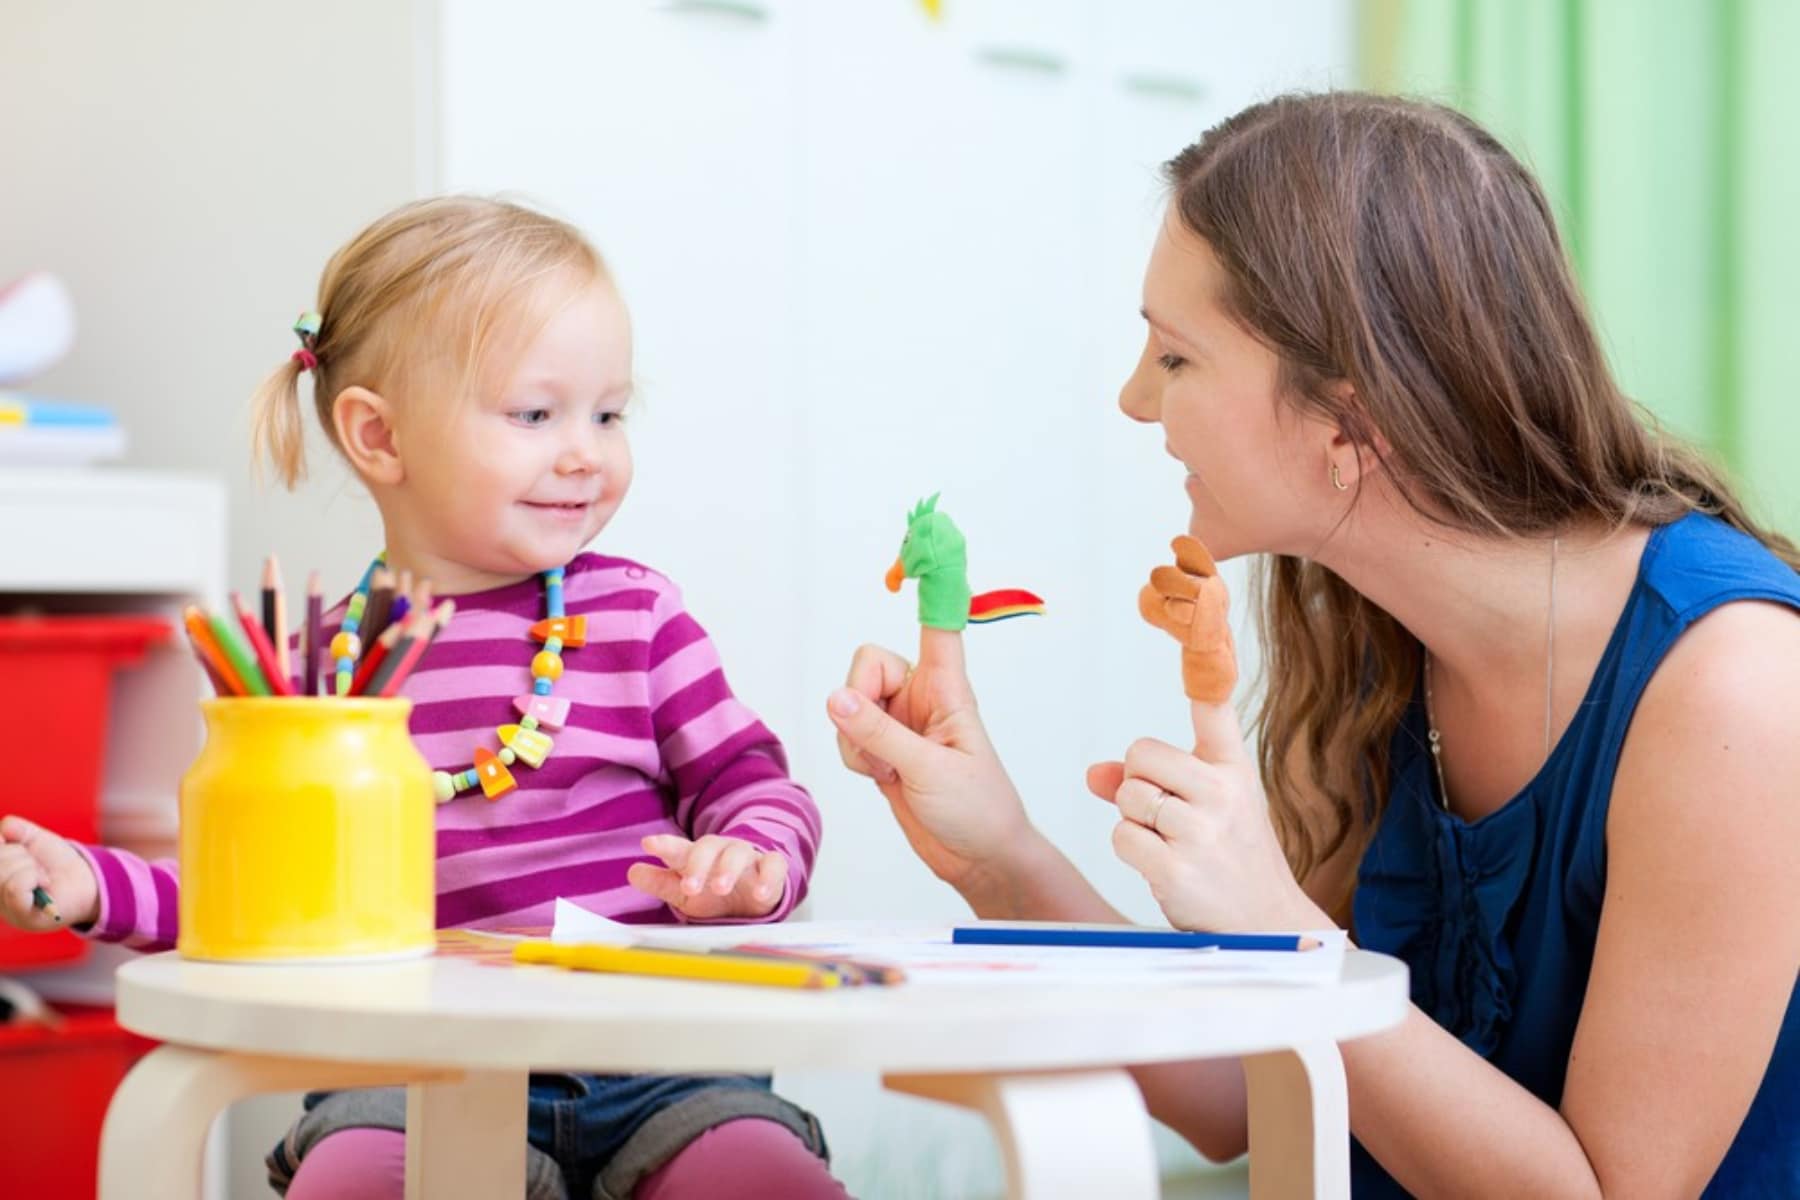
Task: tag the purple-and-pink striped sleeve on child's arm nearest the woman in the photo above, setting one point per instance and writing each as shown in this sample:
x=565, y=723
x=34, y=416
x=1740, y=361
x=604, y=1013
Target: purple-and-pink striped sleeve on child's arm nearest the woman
x=730, y=771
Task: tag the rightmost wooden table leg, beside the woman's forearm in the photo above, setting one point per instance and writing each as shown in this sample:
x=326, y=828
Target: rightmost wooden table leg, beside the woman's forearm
x=1299, y=1124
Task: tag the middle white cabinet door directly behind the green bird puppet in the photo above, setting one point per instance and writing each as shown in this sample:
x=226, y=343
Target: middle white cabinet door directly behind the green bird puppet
x=944, y=273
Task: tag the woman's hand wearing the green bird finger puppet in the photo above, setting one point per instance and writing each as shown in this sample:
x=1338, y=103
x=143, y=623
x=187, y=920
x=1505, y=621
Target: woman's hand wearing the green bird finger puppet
x=917, y=735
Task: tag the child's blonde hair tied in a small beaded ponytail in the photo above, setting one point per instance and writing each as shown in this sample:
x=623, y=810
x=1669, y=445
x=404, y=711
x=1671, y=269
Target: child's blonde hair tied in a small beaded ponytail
x=427, y=287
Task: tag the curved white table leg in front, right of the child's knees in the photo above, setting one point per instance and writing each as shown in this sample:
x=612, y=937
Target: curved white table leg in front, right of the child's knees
x=1065, y=1134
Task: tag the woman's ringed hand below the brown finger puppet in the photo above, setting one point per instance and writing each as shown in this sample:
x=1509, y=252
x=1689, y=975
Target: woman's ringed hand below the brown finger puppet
x=1196, y=827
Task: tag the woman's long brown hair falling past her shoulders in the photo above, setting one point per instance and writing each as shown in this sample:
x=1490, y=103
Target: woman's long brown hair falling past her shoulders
x=1396, y=246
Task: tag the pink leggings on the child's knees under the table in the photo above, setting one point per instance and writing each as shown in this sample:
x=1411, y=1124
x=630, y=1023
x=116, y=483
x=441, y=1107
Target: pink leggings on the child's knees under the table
x=748, y=1158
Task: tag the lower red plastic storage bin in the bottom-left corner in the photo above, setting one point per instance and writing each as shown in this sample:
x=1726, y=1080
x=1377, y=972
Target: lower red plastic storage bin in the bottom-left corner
x=58, y=1084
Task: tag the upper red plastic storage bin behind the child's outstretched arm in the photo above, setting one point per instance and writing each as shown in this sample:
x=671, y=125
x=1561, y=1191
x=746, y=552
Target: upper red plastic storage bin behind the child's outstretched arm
x=55, y=690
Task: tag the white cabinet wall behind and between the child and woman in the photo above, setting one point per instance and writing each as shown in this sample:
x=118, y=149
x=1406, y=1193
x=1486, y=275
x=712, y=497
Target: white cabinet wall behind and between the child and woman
x=870, y=258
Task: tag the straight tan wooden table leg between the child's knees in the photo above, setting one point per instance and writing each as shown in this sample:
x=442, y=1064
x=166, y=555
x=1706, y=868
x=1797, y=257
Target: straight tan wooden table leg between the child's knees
x=467, y=1138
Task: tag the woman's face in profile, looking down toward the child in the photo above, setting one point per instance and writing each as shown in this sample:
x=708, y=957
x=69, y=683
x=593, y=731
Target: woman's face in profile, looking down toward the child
x=1259, y=469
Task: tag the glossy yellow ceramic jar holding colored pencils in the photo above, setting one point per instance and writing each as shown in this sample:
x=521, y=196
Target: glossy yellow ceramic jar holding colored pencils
x=307, y=834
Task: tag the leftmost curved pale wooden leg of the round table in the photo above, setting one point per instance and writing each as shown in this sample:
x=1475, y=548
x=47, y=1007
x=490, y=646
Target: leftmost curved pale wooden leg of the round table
x=156, y=1134
